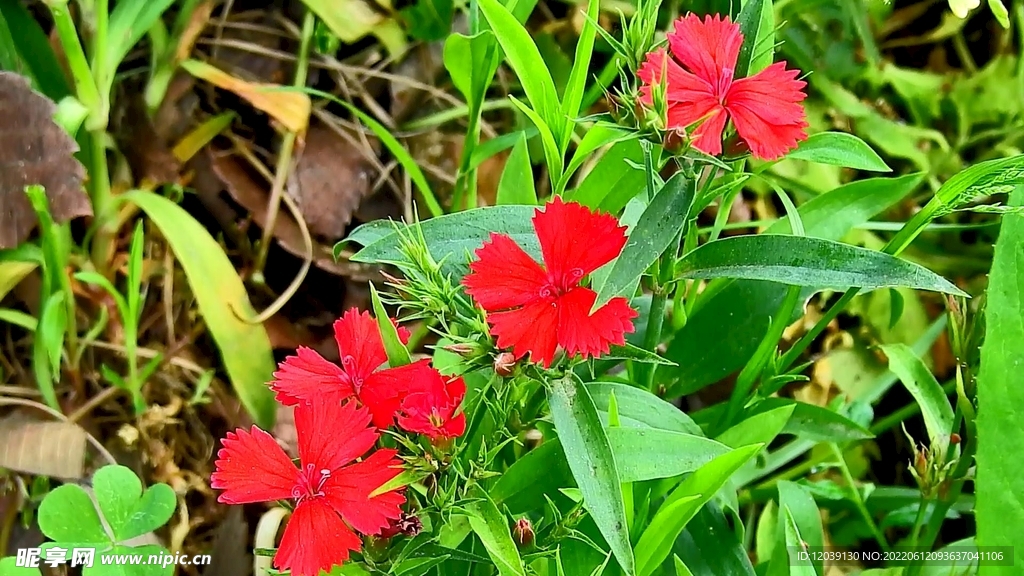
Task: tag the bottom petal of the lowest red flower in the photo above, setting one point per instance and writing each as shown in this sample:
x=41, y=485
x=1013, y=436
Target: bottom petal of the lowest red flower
x=315, y=540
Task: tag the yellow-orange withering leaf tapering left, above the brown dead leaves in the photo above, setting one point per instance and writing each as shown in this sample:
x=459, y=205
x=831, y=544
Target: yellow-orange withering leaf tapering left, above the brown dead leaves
x=289, y=108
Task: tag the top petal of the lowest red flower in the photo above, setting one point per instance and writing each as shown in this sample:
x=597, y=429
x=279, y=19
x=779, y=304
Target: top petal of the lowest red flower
x=331, y=435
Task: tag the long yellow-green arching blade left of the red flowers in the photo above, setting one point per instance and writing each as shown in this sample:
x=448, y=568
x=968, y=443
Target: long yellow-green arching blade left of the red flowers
x=245, y=348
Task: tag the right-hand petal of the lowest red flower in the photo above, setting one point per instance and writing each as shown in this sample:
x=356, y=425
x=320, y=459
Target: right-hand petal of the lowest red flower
x=349, y=492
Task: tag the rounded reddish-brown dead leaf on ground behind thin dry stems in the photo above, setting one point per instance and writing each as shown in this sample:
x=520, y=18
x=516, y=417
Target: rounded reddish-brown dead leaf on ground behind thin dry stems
x=330, y=182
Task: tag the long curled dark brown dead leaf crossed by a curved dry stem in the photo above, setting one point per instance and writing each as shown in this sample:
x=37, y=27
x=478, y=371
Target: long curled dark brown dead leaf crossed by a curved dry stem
x=253, y=197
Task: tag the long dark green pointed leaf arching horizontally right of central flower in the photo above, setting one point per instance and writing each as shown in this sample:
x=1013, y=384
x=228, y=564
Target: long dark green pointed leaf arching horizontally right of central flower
x=815, y=263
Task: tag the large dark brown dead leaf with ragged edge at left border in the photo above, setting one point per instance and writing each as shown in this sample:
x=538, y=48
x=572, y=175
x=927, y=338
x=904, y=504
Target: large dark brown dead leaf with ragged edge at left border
x=35, y=151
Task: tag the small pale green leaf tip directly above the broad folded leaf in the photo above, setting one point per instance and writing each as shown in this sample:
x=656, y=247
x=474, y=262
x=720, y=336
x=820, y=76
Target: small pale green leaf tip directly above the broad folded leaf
x=639, y=408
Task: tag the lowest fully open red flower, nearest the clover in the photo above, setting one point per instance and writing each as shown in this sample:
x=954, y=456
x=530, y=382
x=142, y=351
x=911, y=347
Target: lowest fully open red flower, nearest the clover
x=331, y=492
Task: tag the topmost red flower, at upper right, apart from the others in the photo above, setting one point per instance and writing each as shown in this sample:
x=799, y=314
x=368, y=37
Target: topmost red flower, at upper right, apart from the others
x=764, y=108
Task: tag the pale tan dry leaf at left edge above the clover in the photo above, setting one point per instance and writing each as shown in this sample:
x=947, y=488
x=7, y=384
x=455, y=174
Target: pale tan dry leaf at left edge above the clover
x=55, y=449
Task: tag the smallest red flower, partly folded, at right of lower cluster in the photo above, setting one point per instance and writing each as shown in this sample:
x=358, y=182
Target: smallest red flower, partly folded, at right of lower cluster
x=432, y=410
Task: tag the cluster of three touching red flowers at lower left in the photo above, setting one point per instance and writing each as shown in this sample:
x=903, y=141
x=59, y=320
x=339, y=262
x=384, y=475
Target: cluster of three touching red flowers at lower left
x=338, y=413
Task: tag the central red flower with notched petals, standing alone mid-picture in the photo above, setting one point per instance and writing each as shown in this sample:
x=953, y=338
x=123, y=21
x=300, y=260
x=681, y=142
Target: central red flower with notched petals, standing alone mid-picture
x=535, y=309
